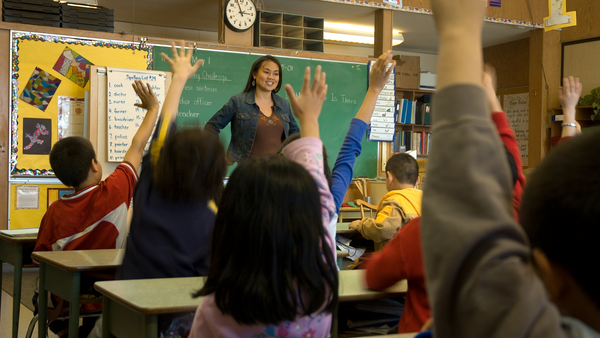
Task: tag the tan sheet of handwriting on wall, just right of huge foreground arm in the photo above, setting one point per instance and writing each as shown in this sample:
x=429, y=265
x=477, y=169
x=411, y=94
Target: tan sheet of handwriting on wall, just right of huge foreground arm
x=516, y=107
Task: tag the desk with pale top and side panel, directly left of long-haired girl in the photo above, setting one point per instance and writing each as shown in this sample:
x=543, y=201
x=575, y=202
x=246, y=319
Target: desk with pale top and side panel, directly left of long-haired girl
x=131, y=308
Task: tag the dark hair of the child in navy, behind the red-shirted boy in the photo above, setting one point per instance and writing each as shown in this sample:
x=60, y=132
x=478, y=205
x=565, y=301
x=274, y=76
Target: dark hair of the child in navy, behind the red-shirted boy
x=191, y=166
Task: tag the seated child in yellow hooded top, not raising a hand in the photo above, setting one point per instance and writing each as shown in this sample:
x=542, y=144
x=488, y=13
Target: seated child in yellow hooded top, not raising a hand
x=401, y=204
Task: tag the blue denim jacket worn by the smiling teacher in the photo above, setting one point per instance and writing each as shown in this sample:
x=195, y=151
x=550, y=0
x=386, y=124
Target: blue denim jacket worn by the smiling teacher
x=243, y=112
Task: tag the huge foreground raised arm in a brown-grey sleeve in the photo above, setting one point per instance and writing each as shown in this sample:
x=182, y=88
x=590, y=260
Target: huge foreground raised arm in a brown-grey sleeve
x=476, y=258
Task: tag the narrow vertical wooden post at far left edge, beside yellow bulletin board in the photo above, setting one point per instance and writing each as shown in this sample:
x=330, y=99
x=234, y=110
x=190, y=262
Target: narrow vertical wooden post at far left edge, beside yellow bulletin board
x=5, y=56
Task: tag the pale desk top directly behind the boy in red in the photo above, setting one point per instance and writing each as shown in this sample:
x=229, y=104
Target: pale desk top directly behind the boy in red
x=82, y=260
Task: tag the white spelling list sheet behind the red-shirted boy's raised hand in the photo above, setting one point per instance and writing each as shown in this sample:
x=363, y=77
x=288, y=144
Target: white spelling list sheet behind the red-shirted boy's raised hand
x=123, y=118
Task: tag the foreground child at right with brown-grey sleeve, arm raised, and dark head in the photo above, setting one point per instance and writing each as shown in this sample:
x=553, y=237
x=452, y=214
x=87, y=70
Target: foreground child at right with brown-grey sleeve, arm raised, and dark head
x=480, y=271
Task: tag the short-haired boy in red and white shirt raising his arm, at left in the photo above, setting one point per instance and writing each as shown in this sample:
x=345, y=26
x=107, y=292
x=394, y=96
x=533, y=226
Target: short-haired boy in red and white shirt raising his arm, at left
x=95, y=216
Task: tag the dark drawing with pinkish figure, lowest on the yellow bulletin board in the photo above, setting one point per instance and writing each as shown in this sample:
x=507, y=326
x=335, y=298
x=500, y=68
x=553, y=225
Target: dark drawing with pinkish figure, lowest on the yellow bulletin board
x=37, y=136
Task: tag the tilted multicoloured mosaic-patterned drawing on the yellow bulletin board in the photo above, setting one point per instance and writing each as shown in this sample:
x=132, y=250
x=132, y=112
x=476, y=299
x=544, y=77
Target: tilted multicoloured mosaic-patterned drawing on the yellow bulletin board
x=40, y=89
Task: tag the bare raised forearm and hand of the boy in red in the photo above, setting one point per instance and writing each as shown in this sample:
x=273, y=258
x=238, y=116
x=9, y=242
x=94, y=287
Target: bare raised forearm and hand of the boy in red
x=149, y=102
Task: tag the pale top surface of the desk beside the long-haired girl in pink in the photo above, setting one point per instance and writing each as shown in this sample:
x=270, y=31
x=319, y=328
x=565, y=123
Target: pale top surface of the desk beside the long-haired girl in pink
x=155, y=296
